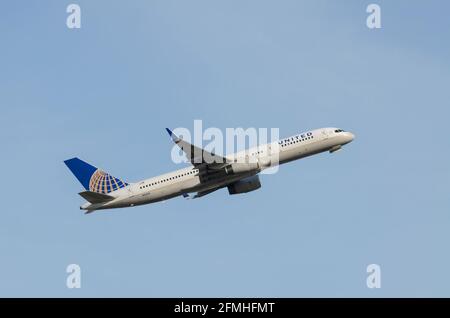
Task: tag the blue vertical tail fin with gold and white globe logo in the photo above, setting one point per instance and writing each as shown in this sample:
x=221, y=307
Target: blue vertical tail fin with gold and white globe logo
x=94, y=179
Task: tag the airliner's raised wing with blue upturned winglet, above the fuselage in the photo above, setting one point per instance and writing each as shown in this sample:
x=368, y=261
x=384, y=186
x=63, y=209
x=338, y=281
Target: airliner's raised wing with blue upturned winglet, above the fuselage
x=198, y=156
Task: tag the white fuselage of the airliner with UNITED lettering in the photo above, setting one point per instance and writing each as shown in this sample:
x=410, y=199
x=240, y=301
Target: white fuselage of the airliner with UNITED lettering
x=195, y=179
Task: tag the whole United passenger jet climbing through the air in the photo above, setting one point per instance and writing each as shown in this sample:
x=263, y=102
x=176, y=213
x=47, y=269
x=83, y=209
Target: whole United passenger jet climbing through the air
x=208, y=172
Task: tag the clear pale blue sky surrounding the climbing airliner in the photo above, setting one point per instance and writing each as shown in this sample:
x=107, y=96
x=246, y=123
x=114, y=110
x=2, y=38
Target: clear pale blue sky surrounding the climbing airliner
x=106, y=92
